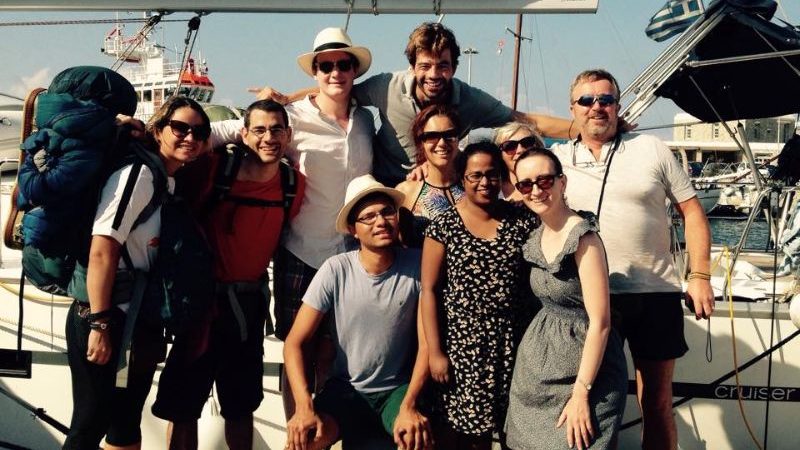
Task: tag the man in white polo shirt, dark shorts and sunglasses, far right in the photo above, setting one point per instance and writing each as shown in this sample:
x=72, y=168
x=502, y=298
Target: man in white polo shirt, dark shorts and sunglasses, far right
x=626, y=180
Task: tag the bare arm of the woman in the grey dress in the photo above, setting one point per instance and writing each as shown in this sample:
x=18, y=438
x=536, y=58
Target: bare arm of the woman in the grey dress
x=593, y=273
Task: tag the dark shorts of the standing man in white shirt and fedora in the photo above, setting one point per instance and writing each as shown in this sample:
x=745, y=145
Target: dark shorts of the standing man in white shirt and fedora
x=291, y=278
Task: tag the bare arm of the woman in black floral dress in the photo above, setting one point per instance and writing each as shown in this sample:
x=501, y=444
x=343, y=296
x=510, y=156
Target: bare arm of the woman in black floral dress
x=432, y=262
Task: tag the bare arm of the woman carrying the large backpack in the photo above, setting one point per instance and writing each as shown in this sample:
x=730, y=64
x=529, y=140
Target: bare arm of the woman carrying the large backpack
x=103, y=261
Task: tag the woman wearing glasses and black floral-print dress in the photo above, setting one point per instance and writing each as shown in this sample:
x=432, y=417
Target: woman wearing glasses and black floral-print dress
x=474, y=250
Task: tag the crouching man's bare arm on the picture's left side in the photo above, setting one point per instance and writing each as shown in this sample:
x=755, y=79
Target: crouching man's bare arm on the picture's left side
x=305, y=418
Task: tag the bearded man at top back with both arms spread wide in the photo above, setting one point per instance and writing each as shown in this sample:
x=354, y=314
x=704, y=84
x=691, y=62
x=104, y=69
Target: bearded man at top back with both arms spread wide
x=432, y=52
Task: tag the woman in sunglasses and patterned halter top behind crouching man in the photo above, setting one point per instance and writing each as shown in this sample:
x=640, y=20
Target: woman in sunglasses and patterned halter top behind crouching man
x=435, y=131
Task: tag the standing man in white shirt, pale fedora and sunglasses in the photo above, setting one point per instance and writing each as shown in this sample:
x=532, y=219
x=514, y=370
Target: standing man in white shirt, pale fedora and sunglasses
x=332, y=144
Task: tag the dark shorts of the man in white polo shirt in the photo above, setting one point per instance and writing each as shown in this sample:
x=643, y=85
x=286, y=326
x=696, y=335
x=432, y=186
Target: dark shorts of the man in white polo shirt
x=652, y=323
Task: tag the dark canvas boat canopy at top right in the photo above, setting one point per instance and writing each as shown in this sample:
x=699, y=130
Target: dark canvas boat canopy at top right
x=755, y=88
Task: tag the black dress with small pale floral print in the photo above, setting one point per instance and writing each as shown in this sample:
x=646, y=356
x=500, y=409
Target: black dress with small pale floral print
x=487, y=306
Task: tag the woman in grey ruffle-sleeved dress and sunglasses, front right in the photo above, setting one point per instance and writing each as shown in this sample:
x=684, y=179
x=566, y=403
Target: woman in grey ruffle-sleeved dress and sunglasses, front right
x=570, y=370
